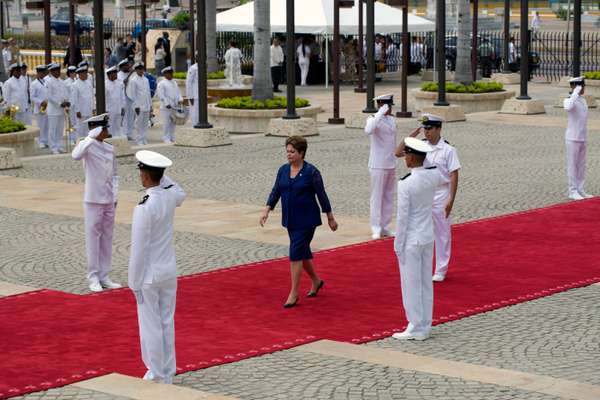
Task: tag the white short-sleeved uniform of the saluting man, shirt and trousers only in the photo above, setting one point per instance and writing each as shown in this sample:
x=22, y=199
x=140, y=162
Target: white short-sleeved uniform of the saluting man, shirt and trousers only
x=445, y=158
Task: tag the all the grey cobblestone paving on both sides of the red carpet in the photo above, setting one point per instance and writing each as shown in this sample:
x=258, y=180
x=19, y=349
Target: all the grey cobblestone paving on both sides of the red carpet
x=506, y=168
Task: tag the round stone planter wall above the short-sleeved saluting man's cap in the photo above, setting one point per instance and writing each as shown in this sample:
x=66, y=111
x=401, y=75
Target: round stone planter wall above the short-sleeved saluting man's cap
x=470, y=103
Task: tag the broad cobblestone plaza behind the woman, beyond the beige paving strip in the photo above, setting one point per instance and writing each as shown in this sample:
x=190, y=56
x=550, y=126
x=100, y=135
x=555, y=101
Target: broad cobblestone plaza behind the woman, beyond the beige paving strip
x=504, y=168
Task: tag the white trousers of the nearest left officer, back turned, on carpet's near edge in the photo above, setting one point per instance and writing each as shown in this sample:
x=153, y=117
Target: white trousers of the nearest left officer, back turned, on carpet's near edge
x=156, y=317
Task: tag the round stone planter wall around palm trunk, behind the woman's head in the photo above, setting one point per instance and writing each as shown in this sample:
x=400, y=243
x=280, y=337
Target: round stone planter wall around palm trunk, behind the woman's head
x=252, y=121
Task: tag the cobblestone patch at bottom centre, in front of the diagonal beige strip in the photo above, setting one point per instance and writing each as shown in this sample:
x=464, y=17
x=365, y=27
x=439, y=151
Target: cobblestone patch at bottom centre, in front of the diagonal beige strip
x=297, y=375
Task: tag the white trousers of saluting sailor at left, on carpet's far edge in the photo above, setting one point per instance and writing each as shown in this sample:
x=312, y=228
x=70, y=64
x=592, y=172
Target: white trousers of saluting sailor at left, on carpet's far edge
x=99, y=223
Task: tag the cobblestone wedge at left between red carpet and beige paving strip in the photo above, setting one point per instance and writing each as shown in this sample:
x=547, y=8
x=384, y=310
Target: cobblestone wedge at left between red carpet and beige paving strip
x=42, y=250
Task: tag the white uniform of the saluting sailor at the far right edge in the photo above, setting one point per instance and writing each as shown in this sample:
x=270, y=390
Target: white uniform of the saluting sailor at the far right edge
x=576, y=138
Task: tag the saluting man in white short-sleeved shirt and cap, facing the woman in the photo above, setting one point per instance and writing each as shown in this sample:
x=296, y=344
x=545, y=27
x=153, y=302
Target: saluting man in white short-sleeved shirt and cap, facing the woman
x=445, y=158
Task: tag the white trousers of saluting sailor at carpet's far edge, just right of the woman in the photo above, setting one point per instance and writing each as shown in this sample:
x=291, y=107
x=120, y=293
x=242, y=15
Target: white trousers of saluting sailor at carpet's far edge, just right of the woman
x=383, y=187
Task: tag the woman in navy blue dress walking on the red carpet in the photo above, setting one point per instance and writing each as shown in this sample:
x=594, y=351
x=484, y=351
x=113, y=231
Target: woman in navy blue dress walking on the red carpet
x=299, y=185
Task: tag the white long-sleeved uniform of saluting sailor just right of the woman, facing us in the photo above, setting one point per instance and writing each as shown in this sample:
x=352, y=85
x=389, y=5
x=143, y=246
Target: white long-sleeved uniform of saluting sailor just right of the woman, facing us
x=381, y=129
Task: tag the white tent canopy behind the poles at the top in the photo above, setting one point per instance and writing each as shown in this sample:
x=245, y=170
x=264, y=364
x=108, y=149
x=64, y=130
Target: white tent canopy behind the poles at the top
x=316, y=17
